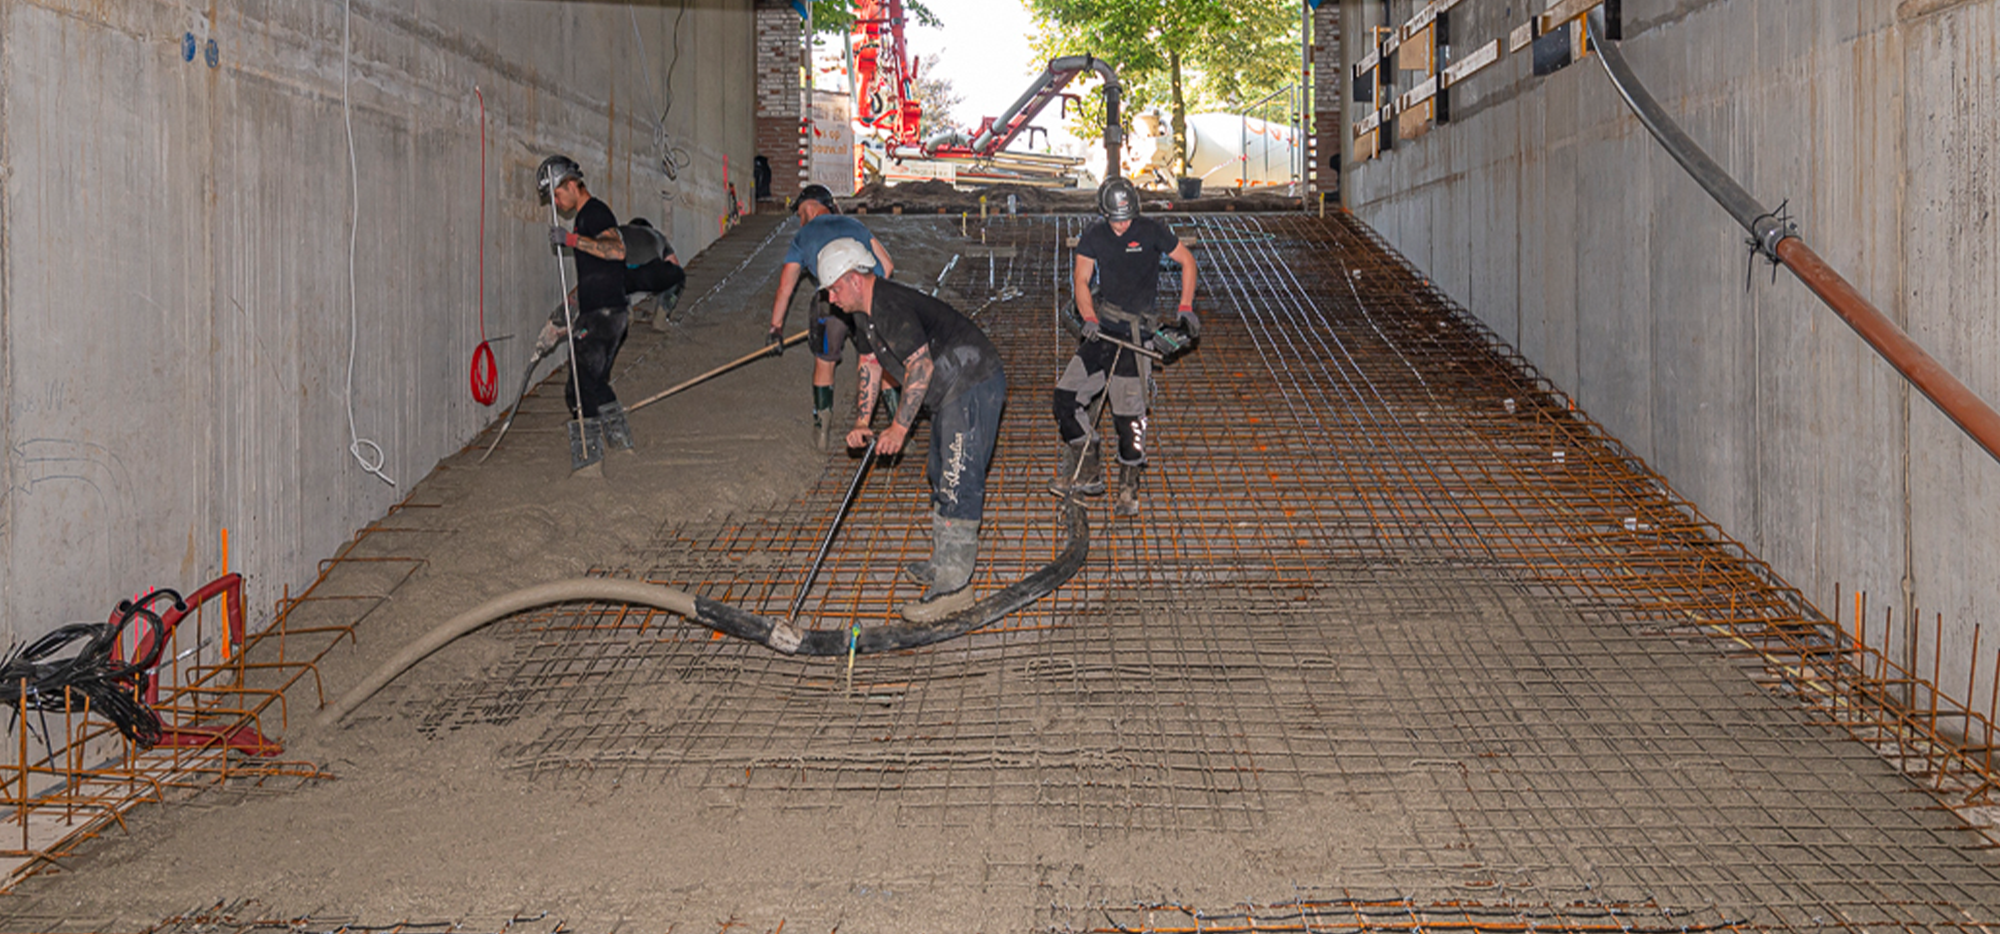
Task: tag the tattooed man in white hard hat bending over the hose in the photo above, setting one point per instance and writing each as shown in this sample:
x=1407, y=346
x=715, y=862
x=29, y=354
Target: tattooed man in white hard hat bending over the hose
x=947, y=367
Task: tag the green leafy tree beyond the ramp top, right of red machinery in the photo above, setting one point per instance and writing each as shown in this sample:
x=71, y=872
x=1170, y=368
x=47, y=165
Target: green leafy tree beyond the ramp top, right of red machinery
x=1181, y=53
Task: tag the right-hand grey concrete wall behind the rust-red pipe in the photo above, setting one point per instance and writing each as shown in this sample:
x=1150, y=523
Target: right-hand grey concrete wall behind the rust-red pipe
x=1555, y=217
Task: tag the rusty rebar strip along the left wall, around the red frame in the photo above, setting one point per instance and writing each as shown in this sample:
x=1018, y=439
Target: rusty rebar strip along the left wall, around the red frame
x=77, y=777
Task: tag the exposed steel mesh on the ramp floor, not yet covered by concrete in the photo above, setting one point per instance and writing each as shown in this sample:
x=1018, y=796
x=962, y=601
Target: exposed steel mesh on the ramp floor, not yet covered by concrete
x=1383, y=569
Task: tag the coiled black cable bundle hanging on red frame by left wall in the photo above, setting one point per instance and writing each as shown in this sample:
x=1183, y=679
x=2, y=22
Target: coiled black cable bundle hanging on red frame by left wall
x=113, y=687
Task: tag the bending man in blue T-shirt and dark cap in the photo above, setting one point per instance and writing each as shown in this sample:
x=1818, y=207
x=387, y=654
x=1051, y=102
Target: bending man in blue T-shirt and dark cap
x=819, y=225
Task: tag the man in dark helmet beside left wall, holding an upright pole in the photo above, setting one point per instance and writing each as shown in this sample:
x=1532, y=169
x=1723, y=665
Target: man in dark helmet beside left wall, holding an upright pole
x=599, y=315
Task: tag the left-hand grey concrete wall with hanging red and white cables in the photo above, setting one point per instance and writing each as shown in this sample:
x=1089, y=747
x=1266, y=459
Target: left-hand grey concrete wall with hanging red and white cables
x=175, y=283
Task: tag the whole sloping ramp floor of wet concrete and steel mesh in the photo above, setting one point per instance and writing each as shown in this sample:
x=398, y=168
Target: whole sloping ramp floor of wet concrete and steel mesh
x=1401, y=641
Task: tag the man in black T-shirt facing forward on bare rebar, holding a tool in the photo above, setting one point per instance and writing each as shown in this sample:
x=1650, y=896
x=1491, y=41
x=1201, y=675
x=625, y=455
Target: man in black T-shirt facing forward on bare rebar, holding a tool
x=1123, y=255
